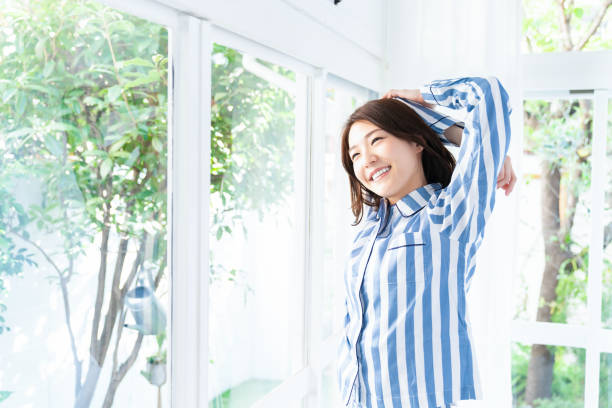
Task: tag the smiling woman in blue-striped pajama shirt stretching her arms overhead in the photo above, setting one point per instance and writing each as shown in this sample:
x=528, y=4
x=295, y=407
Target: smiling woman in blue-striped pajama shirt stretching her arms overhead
x=407, y=339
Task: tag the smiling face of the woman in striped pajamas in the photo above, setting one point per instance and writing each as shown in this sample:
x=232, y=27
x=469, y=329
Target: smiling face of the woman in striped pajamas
x=385, y=164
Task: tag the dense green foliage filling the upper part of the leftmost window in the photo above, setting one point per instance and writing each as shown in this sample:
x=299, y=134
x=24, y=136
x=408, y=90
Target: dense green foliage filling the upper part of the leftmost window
x=82, y=127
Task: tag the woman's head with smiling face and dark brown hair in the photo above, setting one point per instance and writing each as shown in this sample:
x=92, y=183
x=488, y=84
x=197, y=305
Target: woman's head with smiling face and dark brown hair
x=405, y=142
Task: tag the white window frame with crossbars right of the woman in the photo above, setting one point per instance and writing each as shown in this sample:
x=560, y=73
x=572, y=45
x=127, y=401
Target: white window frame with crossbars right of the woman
x=575, y=75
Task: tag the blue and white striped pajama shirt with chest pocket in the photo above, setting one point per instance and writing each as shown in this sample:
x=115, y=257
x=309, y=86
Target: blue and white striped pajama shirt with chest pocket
x=407, y=340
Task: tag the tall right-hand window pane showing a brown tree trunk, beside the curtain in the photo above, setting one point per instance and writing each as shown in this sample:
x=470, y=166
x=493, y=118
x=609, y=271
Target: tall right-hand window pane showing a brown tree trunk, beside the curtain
x=554, y=212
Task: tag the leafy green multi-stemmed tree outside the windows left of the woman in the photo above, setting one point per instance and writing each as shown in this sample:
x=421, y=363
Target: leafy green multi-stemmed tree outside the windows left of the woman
x=84, y=121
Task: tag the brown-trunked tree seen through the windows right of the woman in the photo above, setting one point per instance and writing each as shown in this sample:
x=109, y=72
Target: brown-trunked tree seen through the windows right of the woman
x=560, y=133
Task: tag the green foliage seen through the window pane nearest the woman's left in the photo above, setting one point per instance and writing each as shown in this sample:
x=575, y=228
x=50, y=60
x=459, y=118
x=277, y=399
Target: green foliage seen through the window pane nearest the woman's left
x=252, y=146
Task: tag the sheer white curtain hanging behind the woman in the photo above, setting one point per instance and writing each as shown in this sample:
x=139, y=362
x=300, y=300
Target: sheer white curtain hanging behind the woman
x=447, y=39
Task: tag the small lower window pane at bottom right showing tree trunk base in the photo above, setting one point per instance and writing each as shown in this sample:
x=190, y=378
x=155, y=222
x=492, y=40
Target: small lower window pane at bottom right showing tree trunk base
x=547, y=376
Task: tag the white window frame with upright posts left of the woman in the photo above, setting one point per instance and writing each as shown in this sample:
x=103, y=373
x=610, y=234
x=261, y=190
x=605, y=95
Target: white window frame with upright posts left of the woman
x=189, y=90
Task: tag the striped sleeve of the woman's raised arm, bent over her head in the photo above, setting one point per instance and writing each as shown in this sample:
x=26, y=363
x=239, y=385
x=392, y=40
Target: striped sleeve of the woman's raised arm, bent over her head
x=463, y=207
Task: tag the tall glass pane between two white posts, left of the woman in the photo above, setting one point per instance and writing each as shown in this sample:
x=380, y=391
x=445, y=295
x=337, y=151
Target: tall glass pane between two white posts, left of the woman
x=256, y=276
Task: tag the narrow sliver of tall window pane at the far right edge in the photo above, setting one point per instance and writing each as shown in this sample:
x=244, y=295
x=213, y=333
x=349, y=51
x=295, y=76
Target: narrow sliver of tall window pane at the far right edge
x=606, y=312
